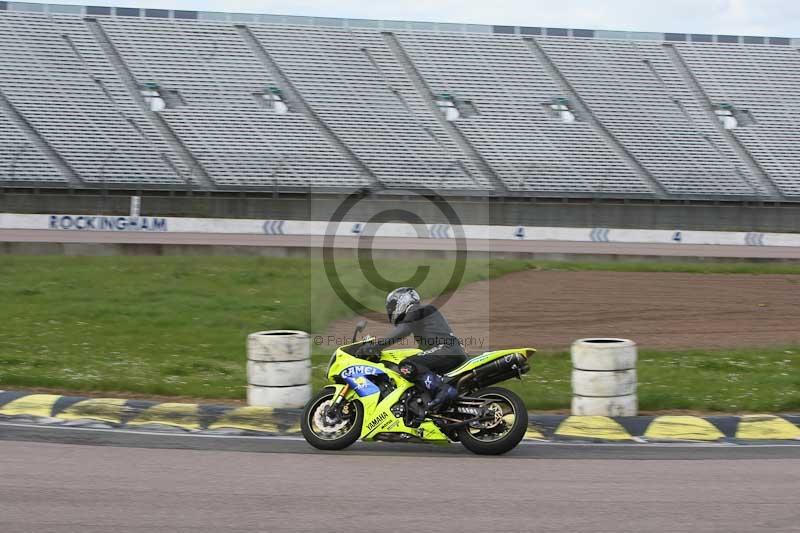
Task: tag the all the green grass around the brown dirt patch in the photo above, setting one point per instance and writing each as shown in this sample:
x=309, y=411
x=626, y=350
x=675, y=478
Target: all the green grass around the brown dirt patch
x=176, y=326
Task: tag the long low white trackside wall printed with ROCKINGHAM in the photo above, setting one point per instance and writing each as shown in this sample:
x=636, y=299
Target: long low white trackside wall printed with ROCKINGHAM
x=63, y=222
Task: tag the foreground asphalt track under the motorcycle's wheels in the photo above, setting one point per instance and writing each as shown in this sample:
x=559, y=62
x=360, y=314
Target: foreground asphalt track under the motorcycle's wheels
x=121, y=486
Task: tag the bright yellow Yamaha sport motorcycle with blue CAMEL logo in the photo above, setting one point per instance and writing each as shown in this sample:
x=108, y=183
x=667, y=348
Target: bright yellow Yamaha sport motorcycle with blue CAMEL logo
x=369, y=399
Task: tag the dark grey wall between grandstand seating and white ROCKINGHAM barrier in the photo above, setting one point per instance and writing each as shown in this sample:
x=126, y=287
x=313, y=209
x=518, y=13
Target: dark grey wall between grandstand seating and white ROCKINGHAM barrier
x=540, y=212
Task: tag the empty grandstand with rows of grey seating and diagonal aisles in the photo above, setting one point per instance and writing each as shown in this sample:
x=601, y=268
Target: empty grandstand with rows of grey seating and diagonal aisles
x=149, y=99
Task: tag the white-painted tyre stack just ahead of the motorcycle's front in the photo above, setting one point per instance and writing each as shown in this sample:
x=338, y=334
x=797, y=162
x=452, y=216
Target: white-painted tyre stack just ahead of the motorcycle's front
x=278, y=368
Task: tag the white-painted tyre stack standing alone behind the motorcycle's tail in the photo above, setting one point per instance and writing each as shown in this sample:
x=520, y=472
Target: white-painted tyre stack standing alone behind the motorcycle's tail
x=604, y=377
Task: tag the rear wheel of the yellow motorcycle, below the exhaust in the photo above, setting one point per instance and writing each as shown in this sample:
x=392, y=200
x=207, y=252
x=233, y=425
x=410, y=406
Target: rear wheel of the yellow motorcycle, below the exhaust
x=500, y=436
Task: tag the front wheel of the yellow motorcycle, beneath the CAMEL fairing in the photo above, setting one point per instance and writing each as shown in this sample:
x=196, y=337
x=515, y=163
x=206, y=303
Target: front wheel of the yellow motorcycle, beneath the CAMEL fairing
x=326, y=434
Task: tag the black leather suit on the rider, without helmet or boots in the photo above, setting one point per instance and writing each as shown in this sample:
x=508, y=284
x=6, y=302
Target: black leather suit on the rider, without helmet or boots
x=442, y=350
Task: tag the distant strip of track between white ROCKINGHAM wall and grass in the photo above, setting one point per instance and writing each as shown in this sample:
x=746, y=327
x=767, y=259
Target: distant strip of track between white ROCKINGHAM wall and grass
x=401, y=243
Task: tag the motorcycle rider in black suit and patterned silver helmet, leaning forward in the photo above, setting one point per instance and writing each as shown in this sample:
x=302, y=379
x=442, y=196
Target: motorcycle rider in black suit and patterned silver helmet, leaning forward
x=441, y=349
